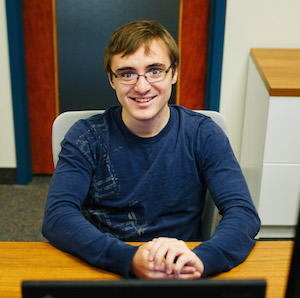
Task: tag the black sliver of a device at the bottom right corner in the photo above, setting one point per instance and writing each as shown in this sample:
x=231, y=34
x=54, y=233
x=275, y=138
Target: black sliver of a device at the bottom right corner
x=293, y=285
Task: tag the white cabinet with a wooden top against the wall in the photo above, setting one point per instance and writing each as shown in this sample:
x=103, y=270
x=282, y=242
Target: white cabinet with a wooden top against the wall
x=270, y=155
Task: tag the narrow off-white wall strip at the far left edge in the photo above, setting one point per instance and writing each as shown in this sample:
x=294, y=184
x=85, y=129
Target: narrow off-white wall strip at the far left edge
x=7, y=136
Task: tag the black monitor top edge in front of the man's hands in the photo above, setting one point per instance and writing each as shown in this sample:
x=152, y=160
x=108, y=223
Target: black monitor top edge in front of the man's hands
x=141, y=288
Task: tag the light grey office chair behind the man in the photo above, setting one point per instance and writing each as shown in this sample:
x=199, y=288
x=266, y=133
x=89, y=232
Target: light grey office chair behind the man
x=64, y=121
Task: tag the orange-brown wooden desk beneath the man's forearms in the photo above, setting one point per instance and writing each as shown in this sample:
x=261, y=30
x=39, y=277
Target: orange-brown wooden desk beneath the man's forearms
x=41, y=261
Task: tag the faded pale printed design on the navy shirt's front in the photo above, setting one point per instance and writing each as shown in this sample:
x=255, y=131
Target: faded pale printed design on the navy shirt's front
x=125, y=220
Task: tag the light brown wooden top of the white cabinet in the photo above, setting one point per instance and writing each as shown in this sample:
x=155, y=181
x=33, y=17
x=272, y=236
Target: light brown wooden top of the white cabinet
x=279, y=69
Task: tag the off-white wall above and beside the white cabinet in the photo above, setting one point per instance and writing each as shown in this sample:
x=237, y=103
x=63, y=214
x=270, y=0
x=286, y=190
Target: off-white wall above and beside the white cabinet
x=252, y=24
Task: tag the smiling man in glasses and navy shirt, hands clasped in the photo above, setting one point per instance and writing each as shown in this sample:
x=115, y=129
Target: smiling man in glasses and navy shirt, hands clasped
x=139, y=172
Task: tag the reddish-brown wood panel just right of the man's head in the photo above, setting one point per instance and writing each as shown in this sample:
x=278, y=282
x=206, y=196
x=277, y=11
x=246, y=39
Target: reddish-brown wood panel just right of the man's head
x=194, y=49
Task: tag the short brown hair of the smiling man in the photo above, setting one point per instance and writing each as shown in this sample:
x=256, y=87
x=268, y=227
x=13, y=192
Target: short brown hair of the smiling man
x=128, y=38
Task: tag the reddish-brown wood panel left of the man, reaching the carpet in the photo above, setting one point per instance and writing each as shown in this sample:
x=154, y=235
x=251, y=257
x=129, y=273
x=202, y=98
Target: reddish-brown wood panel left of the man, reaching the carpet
x=39, y=55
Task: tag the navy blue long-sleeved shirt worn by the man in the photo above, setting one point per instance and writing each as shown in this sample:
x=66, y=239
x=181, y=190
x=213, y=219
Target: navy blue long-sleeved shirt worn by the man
x=111, y=186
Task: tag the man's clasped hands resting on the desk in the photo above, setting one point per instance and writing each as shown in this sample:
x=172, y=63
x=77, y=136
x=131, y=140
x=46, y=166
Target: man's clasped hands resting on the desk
x=166, y=258
